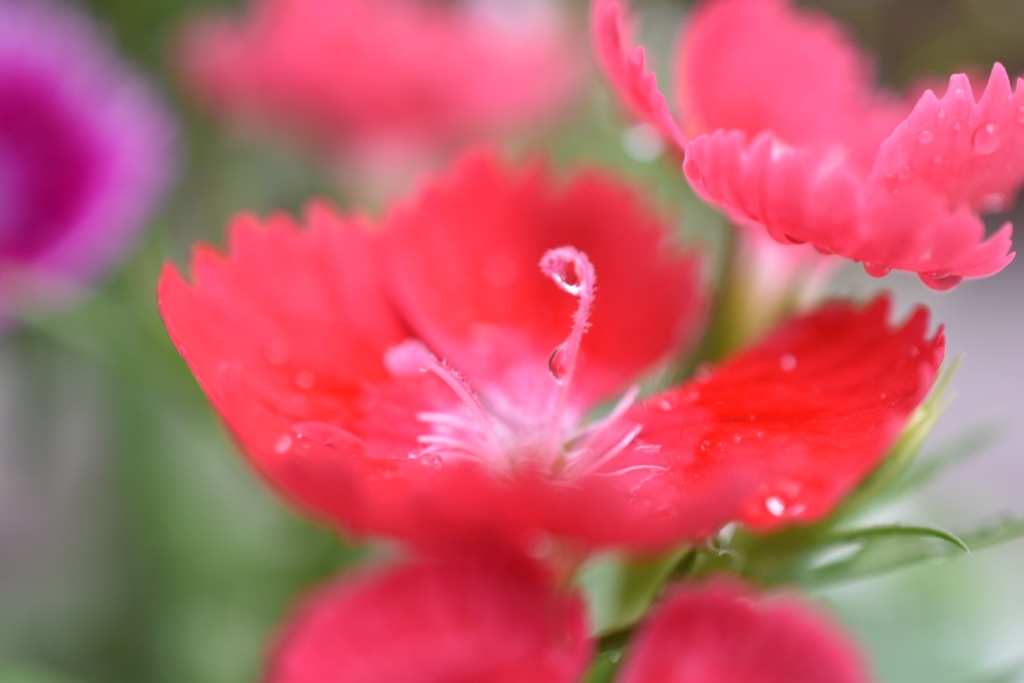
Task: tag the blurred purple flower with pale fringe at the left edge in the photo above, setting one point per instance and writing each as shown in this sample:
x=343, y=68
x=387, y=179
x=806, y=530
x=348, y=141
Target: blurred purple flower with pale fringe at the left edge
x=86, y=149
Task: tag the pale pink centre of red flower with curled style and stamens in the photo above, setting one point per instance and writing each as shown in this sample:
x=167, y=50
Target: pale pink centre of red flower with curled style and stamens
x=471, y=432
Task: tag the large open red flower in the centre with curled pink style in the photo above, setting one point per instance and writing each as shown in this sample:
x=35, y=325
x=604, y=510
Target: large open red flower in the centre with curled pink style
x=430, y=382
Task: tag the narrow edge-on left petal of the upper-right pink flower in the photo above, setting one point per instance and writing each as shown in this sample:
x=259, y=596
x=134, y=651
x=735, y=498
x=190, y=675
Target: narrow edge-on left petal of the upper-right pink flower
x=627, y=69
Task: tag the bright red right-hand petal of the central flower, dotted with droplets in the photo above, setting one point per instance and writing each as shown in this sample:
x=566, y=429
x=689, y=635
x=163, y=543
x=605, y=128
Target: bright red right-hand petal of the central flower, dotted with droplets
x=799, y=419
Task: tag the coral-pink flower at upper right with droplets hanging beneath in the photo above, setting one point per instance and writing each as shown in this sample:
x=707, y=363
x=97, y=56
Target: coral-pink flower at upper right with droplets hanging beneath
x=792, y=138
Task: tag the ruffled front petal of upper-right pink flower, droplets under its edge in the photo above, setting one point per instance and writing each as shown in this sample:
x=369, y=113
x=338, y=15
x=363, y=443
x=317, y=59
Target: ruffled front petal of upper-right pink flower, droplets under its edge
x=803, y=196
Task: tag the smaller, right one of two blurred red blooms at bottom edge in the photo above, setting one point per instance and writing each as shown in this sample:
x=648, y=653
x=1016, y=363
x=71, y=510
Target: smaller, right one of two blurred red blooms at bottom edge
x=722, y=633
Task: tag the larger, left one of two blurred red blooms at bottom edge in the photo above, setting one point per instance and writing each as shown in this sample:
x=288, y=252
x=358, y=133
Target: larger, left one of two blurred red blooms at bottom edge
x=494, y=620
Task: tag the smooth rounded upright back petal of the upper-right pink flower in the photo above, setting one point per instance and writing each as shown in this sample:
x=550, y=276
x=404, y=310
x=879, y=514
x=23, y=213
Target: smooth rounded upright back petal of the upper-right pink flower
x=761, y=66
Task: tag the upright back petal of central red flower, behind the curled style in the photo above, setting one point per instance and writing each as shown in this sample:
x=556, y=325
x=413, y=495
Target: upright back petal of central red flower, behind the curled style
x=464, y=261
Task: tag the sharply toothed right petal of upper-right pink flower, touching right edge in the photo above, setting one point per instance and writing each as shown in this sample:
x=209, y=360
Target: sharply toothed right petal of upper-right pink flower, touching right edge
x=970, y=152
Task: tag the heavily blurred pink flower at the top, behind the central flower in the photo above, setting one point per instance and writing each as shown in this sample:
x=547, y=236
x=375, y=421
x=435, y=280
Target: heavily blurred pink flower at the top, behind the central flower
x=386, y=77
